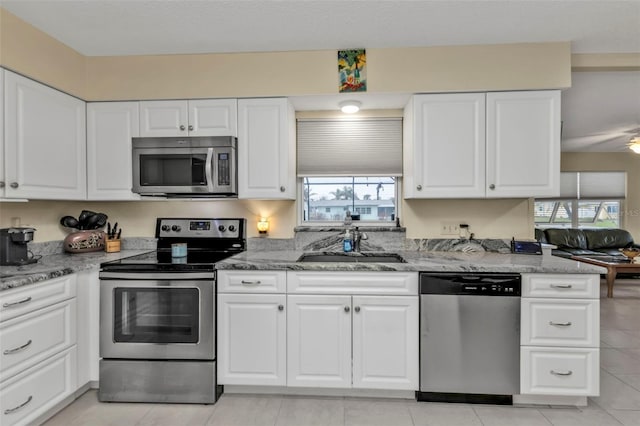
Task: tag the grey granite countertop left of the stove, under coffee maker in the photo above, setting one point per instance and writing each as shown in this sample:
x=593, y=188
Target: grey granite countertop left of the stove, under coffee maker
x=57, y=265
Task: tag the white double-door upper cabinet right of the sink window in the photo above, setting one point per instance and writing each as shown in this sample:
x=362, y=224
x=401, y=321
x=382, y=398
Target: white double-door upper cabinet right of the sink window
x=477, y=145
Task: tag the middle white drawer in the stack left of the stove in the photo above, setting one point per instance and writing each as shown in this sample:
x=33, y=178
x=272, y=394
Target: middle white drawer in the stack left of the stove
x=34, y=337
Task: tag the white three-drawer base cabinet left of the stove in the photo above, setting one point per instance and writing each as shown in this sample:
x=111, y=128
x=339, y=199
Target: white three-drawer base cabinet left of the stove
x=38, y=364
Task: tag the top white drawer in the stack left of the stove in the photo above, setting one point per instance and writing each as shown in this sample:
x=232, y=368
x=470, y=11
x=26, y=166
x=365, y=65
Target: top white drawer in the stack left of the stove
x=28, y=298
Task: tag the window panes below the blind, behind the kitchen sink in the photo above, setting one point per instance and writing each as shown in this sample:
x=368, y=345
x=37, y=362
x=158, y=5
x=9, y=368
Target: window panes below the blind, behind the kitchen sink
x=327, y=199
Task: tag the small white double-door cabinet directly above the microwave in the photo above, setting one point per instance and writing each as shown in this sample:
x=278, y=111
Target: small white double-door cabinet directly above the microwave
x=205, y=117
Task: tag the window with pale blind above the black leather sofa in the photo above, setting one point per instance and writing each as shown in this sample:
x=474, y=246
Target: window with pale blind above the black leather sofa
x=587, y=200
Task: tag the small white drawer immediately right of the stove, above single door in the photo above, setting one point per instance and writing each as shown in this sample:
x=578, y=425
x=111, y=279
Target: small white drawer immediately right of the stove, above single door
x=252, y=281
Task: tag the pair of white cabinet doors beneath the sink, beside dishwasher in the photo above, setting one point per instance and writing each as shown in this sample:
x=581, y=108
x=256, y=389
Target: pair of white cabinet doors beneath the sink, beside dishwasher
x=341, y=341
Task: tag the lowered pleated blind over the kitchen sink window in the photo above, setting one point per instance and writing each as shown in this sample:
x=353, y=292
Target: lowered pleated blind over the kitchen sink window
x=364, y=147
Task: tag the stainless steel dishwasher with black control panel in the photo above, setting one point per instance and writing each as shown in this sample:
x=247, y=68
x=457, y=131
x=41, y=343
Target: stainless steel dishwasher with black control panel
x=469, y=337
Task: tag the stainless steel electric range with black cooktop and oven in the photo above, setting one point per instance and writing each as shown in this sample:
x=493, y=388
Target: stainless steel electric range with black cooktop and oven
x=157, y=314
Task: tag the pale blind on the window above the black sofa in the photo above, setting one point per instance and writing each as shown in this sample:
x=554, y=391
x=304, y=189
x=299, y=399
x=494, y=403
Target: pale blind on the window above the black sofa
x=592, y=186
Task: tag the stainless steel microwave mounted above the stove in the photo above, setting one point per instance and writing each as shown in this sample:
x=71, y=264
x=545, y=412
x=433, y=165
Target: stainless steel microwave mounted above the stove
x=185, y=167
